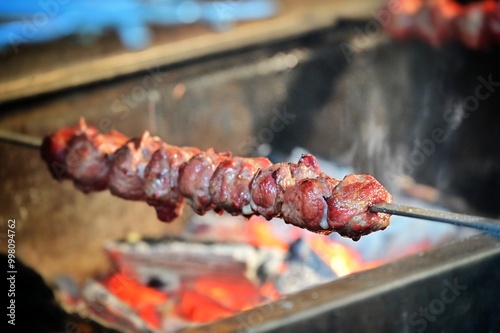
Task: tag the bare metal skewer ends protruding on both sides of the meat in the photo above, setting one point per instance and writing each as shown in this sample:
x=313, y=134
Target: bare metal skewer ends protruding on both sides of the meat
x=489, y=225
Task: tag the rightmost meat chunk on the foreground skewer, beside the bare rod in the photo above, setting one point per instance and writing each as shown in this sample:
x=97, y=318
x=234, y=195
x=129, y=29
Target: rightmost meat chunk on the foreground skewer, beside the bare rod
x=349, y=203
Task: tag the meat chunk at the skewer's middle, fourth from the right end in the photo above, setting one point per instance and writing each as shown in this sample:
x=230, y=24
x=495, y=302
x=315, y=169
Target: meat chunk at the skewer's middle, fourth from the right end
x=229, y=186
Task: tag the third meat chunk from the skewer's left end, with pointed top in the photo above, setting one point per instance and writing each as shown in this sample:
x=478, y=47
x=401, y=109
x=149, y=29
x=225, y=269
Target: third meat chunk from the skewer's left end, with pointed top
x=126, y=178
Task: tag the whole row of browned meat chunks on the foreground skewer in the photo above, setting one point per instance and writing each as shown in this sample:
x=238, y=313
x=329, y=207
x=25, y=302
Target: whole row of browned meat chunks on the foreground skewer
x=162, y=175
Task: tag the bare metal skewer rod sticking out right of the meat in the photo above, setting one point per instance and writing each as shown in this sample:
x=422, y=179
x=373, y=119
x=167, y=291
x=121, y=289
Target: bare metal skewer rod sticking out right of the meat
x=491, y=226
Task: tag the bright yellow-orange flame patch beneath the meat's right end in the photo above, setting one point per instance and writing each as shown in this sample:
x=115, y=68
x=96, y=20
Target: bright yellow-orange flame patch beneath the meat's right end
x=342, y=259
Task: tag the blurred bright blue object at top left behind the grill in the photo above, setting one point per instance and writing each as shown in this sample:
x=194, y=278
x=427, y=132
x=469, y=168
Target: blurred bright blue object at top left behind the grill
x=36, y=21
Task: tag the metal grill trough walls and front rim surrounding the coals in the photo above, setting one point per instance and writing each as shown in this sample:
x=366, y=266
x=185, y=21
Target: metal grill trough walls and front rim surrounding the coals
x=392, y=109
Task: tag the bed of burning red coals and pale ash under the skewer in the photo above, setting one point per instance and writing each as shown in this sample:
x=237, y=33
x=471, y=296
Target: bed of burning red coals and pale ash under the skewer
x=222, y=265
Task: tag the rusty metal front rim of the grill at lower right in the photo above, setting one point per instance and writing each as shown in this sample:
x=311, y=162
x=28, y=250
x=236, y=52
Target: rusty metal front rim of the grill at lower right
x=450, y=289
